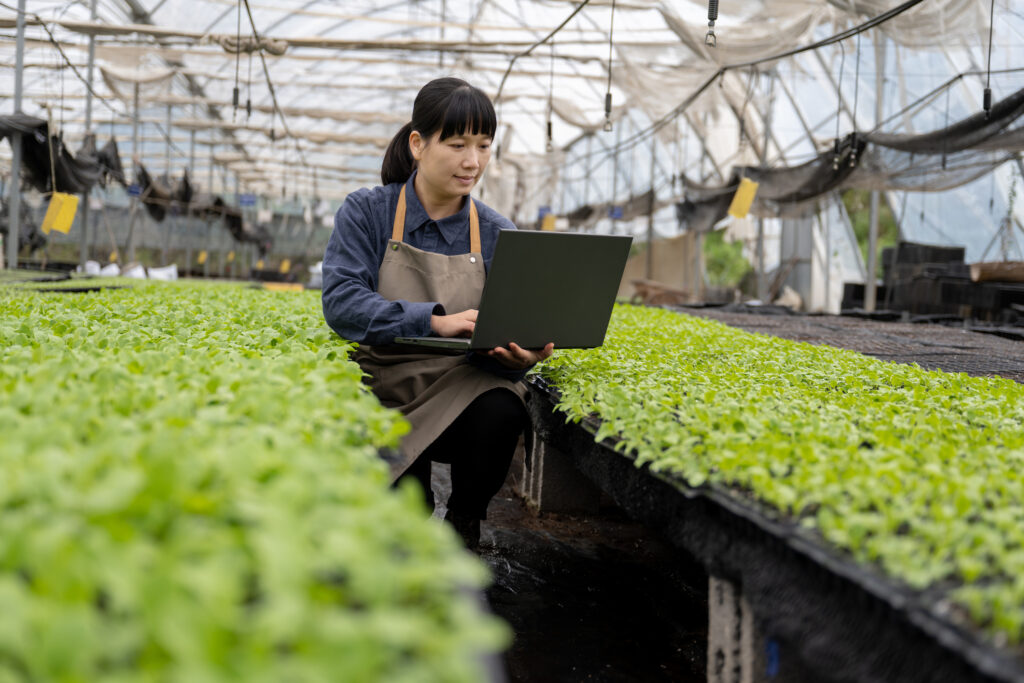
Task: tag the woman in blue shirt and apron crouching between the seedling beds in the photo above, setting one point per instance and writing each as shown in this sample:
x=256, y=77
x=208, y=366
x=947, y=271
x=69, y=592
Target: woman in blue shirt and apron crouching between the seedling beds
x=409, y=259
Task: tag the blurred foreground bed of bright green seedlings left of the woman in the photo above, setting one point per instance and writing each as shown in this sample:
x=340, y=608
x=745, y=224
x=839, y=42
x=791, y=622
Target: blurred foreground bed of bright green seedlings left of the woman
x=192, y=492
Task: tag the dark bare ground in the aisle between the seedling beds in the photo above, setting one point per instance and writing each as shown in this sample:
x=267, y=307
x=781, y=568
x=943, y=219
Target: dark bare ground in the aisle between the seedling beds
x=590, y=599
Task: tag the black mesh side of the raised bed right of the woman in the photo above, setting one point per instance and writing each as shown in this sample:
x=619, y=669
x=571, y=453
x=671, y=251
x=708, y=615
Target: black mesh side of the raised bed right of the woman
x=845, y=621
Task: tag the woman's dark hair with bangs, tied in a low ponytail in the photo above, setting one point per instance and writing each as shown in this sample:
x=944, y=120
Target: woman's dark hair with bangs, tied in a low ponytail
x=447, y=105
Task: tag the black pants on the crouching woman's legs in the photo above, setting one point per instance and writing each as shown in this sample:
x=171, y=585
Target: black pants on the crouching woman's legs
x=480, y=446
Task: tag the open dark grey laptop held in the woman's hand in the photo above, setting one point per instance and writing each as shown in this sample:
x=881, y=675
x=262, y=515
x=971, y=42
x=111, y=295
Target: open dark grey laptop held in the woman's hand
x=544, y=287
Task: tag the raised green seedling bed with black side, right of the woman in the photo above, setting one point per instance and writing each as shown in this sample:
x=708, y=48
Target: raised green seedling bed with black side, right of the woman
x=899, y=482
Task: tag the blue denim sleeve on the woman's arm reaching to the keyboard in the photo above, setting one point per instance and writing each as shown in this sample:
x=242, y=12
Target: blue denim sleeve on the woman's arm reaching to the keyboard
x=352, y=306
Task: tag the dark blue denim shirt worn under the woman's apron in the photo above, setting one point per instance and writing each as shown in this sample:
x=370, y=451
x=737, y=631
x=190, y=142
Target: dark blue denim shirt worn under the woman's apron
x=356, y=250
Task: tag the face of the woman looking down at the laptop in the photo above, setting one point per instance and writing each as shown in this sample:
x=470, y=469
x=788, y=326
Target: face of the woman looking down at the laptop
x=451, y=168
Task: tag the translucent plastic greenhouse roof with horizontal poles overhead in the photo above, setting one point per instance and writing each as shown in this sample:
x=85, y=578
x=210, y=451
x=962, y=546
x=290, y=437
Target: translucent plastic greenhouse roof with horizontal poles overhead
x=346, y=75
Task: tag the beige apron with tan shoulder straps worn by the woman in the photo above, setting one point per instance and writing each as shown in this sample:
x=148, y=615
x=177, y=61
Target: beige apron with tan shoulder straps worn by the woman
x=432, y=390
